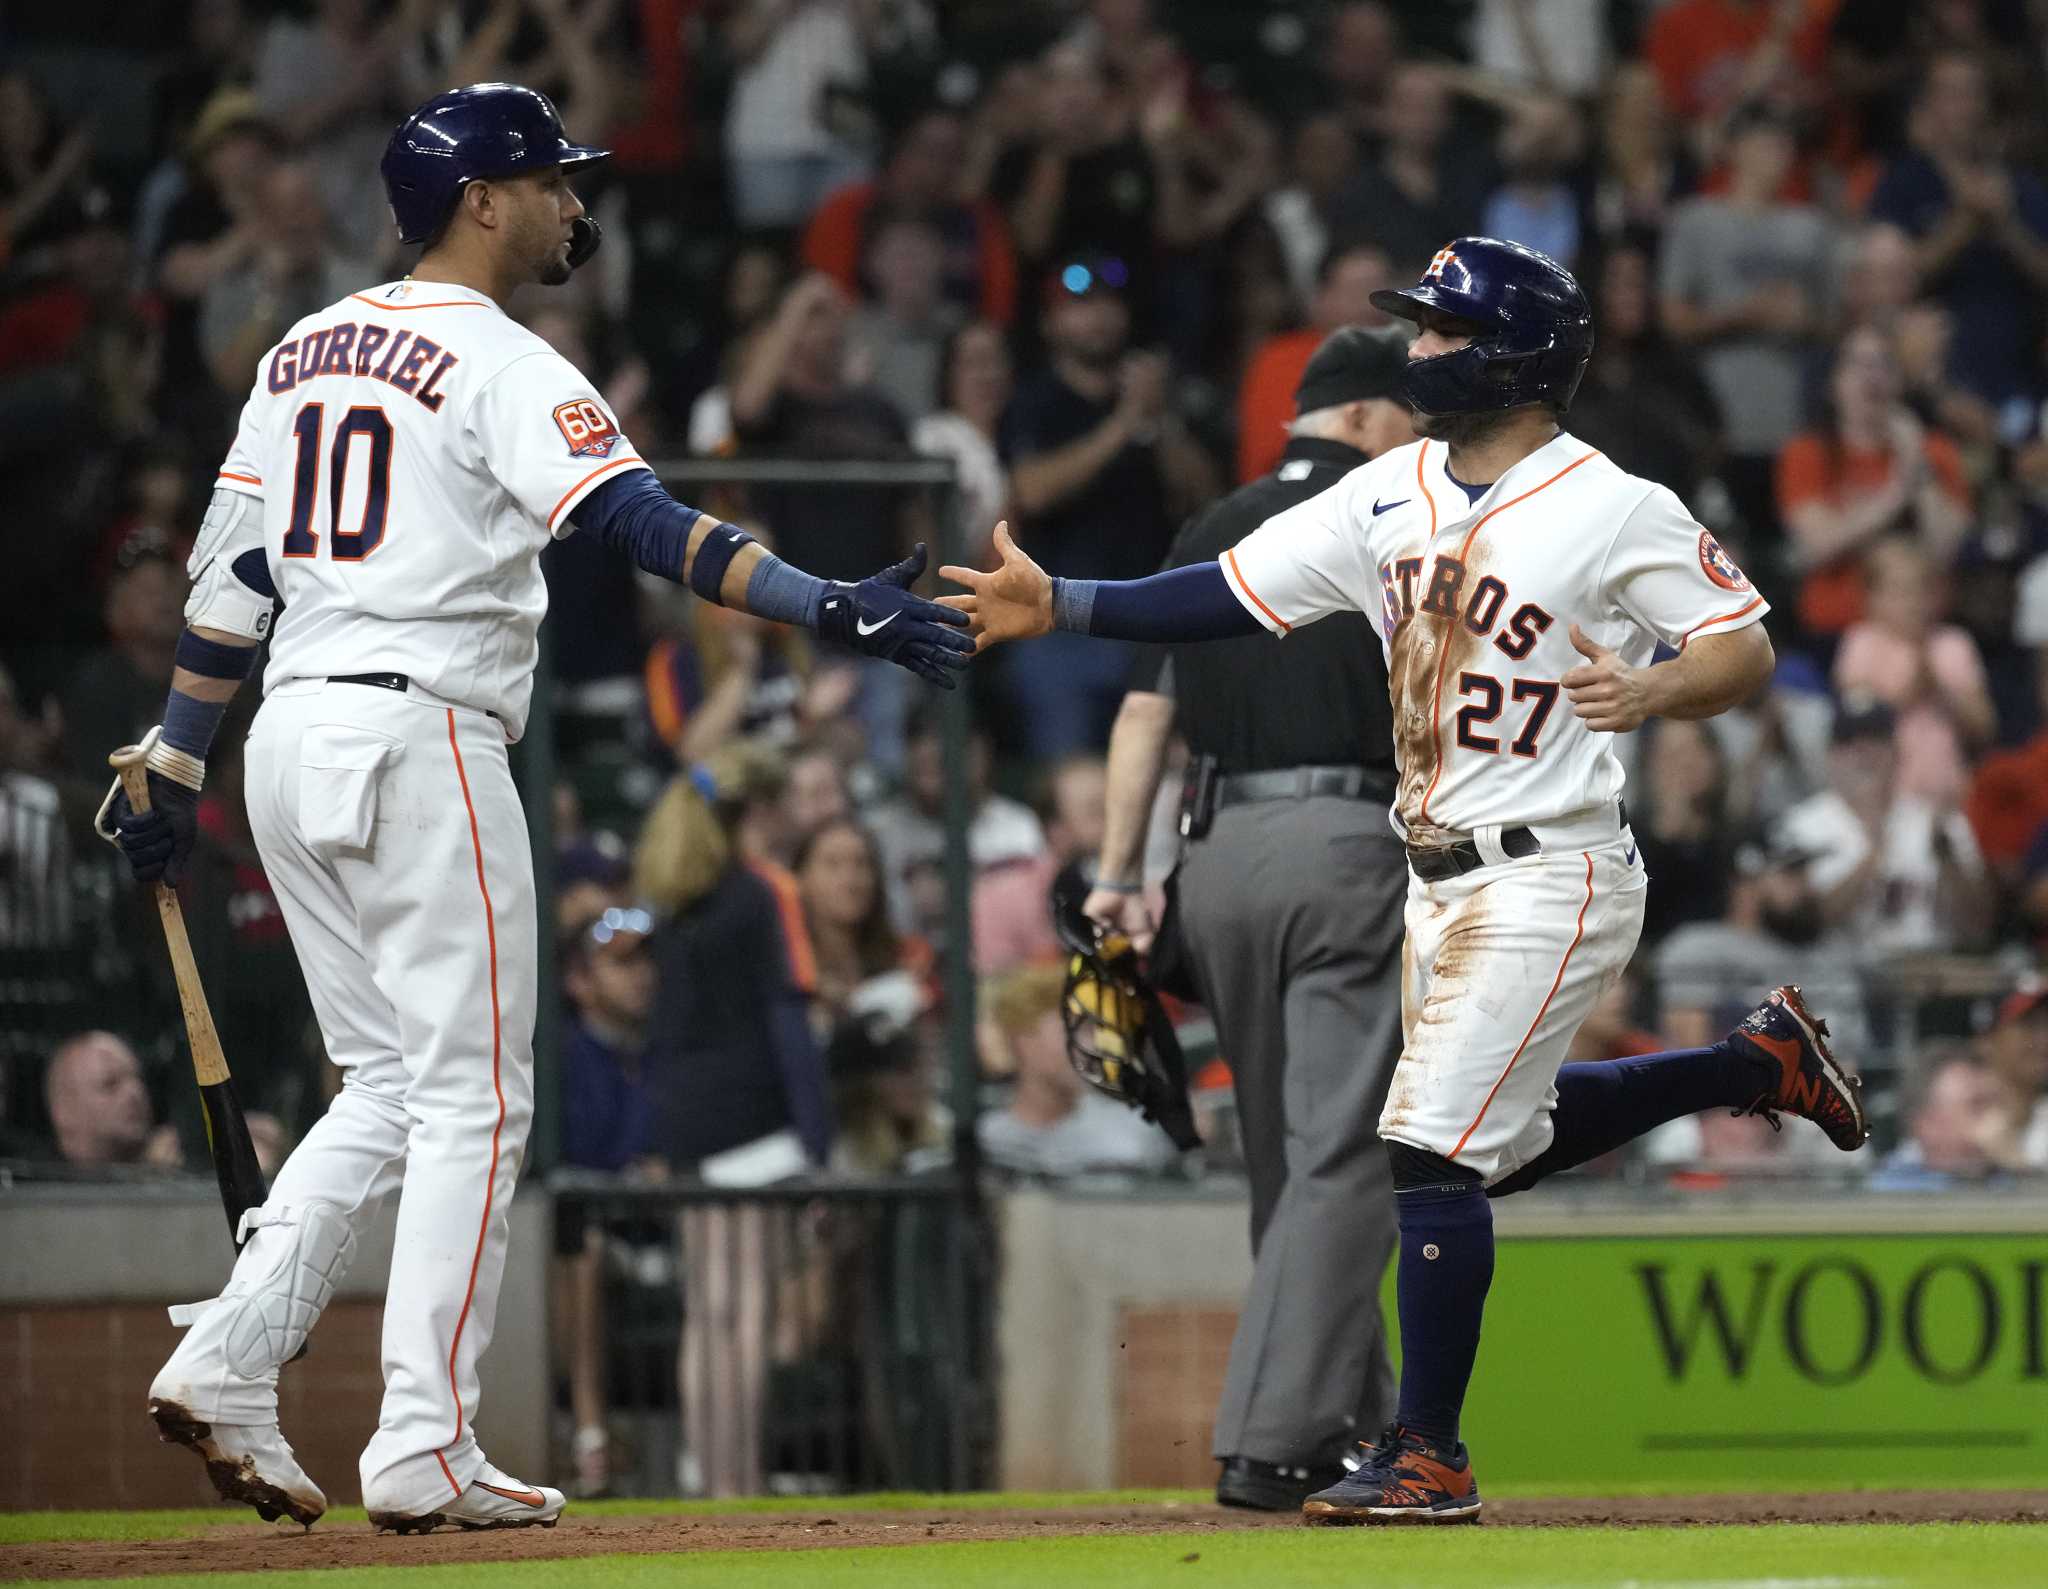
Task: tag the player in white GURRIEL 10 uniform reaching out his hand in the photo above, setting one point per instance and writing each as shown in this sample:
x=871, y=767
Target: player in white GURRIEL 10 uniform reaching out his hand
x=402, y=462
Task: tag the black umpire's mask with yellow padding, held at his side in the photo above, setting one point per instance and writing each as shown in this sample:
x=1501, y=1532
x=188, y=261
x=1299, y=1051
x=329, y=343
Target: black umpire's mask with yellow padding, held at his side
x=1117, y=1031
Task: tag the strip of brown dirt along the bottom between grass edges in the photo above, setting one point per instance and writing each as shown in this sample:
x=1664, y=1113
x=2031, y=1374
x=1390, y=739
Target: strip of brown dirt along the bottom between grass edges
x=239, y=1549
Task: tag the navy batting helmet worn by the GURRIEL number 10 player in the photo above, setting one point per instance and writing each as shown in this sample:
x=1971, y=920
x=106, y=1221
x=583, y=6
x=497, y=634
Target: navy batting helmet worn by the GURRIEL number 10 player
x=470, y=134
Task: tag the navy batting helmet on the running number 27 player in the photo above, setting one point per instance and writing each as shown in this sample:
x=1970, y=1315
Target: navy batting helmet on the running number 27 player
x=1535, y=329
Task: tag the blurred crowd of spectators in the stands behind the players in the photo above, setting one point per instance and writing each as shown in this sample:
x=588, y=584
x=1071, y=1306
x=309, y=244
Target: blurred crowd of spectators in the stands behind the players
x=1082, y=251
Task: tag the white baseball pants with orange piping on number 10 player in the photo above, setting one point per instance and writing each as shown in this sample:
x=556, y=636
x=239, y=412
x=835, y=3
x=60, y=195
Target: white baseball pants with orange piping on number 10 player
x=398, y=851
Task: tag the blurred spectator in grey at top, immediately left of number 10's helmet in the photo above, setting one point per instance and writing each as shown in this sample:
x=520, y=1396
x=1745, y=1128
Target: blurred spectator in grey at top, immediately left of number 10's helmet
x=333, y=85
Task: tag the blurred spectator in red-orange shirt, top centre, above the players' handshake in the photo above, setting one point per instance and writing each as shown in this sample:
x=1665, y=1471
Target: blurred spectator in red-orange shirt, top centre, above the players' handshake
x=921, y=181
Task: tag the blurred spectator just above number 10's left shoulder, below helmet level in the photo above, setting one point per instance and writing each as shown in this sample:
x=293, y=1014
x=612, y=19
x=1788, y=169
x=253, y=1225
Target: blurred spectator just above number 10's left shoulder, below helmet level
x=294, y=273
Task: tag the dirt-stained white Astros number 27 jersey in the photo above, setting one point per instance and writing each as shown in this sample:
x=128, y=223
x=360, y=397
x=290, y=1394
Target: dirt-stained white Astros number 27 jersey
x=1476, y=605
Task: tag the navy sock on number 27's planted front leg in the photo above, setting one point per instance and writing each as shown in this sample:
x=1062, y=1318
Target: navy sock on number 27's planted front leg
x=1443, y=1277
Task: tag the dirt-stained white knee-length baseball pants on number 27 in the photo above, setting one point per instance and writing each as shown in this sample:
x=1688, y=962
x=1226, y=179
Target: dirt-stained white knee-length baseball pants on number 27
x=1502, y=968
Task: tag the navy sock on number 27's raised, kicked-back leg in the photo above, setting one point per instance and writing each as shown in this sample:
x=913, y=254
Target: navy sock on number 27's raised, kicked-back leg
x=1613, y=1103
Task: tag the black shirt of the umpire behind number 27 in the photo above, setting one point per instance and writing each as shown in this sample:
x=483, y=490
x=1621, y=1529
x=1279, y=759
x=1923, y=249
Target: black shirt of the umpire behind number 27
x=1261, y=703
